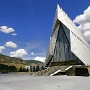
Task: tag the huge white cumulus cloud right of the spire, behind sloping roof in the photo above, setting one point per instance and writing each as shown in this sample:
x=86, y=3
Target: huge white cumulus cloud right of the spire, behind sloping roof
x=84, y=23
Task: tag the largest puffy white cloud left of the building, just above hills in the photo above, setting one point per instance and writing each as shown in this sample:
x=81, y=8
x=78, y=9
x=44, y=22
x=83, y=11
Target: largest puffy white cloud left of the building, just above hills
x=18, y=53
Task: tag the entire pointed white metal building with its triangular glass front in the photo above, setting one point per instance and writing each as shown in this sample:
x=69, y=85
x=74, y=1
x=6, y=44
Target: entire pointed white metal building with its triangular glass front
x=67, y=44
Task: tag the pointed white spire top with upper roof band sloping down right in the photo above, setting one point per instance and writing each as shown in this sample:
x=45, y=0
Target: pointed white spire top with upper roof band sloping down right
x=63, y=17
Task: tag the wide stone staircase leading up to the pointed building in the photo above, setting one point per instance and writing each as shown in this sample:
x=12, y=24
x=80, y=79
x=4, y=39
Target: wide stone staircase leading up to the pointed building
x=50, y=70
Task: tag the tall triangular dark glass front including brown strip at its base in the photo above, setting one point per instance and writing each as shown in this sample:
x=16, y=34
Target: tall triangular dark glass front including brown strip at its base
x=62, y=51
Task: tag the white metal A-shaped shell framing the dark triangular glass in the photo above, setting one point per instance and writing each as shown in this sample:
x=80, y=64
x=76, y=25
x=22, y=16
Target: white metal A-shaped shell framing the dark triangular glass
x=78, y=43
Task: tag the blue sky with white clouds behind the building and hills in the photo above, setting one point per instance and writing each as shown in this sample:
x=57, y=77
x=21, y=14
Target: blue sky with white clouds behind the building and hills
x=25, y=25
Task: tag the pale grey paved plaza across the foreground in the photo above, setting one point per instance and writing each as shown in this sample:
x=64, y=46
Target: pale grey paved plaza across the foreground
x=22, y=82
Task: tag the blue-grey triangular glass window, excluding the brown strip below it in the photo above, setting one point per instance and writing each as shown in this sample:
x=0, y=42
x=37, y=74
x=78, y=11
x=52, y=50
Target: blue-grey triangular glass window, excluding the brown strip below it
x=62, y=50
